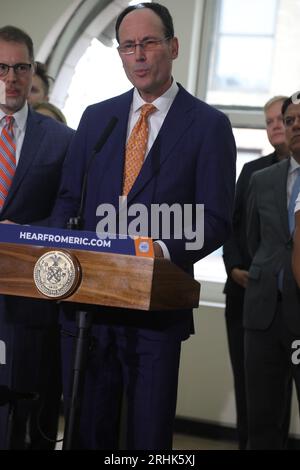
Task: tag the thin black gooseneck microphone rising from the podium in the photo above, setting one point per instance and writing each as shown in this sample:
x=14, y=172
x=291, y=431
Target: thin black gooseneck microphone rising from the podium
x=76, y=223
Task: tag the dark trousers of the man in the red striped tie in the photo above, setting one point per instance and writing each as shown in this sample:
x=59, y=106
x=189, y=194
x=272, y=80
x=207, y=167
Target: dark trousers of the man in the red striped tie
x=33, y=365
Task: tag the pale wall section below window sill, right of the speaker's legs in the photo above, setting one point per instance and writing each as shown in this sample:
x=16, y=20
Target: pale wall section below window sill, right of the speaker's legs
x=205, y=390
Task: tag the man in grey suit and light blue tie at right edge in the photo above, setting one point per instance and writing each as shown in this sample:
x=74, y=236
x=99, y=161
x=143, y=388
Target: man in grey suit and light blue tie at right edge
x=272, y=300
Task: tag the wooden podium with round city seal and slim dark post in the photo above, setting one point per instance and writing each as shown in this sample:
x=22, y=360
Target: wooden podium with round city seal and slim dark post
x=100, y=278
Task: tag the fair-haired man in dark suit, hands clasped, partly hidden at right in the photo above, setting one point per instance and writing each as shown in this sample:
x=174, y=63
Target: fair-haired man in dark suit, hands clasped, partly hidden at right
x=237, y=261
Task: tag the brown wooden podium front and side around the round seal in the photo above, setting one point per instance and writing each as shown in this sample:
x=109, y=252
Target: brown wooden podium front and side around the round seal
x=106, y=279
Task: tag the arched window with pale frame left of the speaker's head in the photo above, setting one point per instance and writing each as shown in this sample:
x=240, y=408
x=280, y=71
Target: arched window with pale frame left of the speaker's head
x=85, y=61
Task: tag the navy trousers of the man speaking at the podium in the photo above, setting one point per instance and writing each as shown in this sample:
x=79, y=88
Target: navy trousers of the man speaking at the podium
x=148, y=371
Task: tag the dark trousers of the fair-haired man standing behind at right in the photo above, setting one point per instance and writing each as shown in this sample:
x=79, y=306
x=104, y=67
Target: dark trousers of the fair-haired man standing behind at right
x=236, y=345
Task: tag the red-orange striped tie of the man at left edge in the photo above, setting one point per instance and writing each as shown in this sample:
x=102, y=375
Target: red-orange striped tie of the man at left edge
x=7, y=158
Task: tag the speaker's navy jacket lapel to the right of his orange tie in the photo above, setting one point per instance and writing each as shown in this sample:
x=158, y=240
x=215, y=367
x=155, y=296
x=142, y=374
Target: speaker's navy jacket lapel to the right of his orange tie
x=177, y=121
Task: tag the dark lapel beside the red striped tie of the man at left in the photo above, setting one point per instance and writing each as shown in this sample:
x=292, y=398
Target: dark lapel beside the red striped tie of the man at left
x=29, y=153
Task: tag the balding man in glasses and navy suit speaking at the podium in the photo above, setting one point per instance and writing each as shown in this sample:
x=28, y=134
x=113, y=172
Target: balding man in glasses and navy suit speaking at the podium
x=190, y=159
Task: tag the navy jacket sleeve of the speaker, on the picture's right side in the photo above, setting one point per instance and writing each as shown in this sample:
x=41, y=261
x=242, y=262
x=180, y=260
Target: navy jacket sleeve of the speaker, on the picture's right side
x=214, y=188
